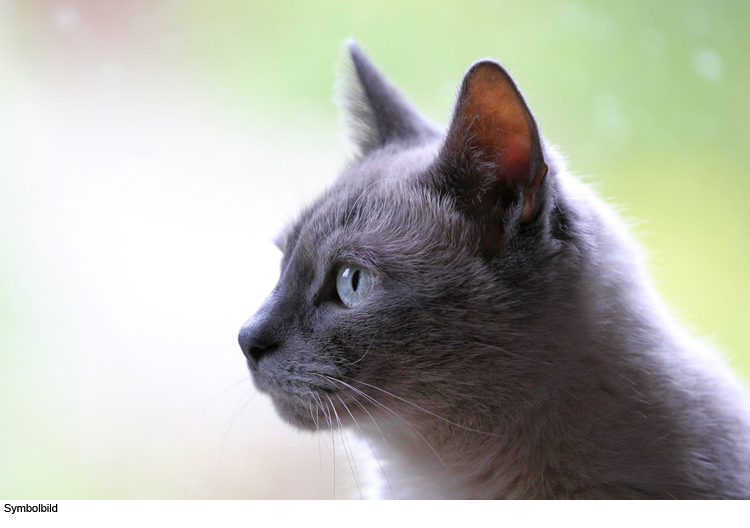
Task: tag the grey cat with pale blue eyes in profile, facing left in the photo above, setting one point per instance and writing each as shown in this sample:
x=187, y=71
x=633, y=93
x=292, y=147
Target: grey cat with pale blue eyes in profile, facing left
x=485, y=322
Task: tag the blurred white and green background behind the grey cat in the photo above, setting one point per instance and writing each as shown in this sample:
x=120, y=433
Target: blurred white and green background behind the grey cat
x=150, y=150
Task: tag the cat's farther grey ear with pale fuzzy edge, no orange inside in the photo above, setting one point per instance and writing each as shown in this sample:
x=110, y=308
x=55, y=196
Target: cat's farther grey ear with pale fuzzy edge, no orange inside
x=376, y=113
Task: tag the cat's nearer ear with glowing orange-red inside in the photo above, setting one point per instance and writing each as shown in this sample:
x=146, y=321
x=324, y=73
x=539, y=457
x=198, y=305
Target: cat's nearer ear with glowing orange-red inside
x=492, y=159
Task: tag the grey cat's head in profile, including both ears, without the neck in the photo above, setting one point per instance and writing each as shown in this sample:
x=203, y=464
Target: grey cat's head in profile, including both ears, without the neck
x=411, y=287
